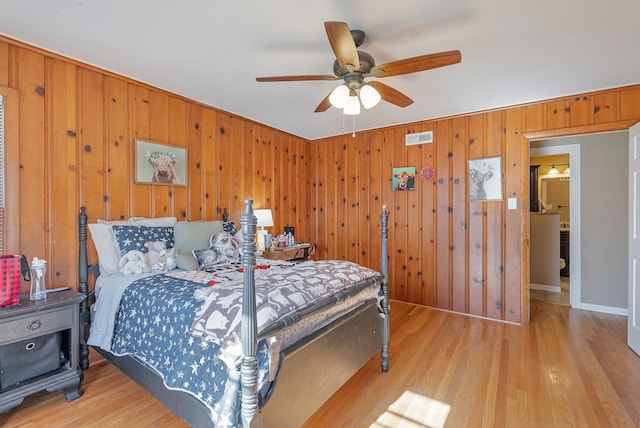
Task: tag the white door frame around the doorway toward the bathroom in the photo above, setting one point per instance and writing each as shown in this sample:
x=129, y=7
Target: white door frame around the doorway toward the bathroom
x=573, y=150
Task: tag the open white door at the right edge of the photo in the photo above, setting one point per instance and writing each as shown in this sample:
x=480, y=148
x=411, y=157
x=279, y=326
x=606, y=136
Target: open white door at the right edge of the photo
x=633, y=330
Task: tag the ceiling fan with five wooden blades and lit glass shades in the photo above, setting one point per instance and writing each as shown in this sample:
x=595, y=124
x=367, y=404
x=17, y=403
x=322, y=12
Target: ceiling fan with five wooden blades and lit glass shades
x=354, y=66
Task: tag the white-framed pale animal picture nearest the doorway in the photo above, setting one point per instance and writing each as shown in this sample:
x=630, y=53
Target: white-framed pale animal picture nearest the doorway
x=485, y=179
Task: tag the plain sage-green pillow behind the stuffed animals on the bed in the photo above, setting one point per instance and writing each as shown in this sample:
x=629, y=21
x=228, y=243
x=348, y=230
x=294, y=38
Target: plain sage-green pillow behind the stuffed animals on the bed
x=192, y=235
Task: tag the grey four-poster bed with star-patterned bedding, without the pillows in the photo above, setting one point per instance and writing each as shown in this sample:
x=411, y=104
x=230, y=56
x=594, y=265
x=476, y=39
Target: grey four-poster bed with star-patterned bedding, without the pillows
x=281, y=363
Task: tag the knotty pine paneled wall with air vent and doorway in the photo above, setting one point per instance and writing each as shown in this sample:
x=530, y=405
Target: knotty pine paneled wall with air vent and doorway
x=447, y=252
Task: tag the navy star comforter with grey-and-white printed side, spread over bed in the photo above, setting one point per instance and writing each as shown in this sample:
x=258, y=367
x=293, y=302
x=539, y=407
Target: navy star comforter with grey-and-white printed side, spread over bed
x=185, y=325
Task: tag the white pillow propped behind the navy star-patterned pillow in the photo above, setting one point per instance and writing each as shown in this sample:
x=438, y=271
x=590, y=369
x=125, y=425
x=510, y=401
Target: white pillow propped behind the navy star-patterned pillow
x=102, y=236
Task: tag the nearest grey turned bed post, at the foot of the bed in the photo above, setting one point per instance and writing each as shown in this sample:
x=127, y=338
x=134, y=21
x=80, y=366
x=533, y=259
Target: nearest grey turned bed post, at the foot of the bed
x=249, y=326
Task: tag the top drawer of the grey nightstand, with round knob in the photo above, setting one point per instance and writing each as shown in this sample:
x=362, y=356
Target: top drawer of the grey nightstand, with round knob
x=36, y=324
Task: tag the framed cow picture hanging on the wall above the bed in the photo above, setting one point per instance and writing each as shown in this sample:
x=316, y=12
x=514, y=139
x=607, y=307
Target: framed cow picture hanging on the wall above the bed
x=160, y=164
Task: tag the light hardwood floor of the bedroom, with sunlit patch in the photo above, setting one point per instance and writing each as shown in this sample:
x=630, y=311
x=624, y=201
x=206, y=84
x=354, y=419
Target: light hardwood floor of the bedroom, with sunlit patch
x=567, y=368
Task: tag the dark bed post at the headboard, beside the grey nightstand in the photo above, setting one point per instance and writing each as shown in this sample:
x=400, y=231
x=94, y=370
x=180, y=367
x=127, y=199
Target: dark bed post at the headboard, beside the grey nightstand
x=83, y=287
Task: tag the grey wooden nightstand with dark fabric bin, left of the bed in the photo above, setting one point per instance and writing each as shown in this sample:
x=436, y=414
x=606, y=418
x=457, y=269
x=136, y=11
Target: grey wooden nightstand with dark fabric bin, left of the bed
x=39, y=347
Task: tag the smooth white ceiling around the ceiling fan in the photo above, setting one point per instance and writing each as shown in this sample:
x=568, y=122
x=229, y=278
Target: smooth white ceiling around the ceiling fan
x=513, y=51
